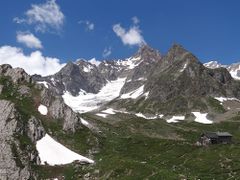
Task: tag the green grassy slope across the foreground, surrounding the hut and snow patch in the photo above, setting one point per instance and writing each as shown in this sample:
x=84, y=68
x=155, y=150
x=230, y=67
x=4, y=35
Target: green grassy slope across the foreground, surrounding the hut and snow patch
x=135, y=148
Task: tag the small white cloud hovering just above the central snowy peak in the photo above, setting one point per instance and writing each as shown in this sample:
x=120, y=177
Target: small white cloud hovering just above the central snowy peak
x=131, y=37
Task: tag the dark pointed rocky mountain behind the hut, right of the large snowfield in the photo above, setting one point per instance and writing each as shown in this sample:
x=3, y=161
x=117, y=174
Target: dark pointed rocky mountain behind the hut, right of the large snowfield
x=180, y=83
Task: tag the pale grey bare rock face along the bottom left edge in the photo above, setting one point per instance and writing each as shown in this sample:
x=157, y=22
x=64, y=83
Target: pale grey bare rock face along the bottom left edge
x=11, y=166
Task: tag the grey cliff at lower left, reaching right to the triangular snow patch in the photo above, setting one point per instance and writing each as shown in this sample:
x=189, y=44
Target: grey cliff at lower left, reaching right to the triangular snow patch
x=16, y=156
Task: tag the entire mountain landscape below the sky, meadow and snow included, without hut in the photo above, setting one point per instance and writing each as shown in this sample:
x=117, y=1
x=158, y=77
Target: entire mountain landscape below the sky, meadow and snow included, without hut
x=139, y=117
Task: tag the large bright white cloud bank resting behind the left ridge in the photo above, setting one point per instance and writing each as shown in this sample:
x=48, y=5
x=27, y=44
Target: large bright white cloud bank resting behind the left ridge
x=35, y=63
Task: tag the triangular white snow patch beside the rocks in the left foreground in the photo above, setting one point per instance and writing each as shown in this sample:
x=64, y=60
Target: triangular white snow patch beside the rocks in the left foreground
x=54, y=153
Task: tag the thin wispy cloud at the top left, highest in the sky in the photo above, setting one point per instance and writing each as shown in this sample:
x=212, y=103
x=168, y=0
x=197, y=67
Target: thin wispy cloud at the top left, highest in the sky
x=46, y=16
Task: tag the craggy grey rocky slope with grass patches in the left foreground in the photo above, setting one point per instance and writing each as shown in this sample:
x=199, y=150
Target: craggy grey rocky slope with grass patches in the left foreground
x=22, y=125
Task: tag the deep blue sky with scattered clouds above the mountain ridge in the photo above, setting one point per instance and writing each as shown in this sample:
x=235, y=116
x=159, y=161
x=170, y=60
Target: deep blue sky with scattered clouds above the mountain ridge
x=208, y=28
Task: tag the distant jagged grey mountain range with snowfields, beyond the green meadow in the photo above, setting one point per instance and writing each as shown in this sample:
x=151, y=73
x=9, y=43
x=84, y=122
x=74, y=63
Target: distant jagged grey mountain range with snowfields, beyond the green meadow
x=147, y=82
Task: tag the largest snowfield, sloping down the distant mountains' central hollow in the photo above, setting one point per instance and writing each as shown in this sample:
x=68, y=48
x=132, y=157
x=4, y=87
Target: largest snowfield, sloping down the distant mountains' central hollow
x=85, y=102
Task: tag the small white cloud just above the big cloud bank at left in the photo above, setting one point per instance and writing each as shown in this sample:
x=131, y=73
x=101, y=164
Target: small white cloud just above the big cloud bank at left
x=29, y=40
